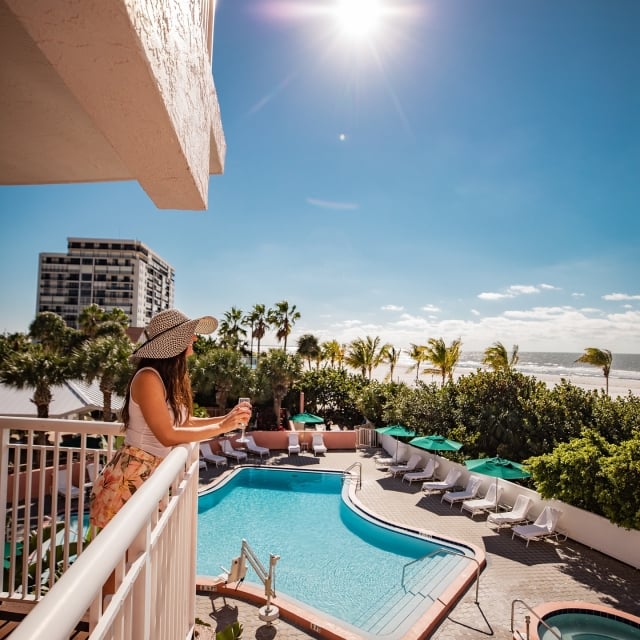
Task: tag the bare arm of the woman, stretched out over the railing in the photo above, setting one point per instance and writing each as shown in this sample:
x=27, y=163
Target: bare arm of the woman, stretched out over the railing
x=148, y=391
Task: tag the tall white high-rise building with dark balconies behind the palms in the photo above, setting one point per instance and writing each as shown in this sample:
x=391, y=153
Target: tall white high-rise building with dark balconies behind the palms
x=122, y=274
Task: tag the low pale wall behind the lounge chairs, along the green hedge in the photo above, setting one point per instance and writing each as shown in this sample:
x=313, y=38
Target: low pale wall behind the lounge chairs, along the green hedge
x=587, y=528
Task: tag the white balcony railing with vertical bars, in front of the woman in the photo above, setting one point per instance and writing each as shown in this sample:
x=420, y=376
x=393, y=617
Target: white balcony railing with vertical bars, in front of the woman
x=61, y=569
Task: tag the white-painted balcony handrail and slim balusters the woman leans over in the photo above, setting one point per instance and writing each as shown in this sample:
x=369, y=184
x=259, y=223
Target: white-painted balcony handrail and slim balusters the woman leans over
x=141, y=546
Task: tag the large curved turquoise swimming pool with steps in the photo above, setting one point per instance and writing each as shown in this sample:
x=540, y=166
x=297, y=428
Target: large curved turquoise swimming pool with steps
x=336, y=560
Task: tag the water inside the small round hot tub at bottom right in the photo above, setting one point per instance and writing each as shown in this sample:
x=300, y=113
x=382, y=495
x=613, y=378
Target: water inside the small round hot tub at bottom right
x=585, y=625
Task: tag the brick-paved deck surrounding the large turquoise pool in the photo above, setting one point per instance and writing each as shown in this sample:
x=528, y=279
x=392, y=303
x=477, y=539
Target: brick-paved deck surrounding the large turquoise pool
x=545, y=571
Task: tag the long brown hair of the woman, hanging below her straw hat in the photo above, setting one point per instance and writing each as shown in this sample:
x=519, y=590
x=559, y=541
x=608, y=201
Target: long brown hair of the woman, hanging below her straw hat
x=175, y=375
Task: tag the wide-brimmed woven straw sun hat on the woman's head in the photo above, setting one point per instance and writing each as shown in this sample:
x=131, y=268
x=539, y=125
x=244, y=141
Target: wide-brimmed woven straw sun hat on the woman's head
x=170, y=332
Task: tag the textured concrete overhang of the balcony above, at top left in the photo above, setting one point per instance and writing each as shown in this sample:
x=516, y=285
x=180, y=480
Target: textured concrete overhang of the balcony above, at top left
x=105, y=90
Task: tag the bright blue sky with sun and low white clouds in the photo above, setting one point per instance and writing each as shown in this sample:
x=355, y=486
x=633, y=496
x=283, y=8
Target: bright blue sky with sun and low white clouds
x=464, y=169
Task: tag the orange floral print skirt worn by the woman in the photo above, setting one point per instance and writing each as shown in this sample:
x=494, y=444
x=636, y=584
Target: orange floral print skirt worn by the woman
x=118, y=481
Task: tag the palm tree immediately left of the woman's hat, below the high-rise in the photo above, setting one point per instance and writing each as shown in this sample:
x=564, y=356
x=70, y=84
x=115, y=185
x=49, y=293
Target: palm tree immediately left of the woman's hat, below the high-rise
x=105, y=359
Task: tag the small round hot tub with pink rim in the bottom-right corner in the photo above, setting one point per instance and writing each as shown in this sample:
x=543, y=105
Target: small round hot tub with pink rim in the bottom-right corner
x=584, y=621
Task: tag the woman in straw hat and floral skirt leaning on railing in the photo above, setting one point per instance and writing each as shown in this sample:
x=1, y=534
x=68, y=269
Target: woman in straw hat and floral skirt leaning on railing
x=157, y=411
